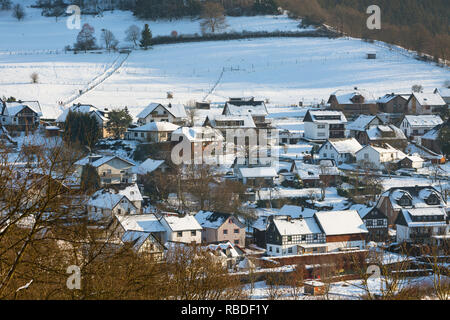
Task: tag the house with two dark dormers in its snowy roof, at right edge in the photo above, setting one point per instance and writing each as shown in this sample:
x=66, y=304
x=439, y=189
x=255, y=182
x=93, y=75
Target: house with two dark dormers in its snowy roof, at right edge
x=393, y=200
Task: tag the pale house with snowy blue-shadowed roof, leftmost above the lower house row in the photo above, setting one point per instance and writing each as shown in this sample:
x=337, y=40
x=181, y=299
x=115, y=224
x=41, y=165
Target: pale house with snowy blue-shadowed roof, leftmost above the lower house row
x=105, y=205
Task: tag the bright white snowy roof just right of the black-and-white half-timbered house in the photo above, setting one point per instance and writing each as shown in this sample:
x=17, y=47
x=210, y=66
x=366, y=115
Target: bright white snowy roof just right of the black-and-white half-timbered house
x=341, y=222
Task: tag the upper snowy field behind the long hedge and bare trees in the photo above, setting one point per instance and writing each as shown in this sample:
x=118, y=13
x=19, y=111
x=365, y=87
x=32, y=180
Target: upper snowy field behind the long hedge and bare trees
x=38, y=33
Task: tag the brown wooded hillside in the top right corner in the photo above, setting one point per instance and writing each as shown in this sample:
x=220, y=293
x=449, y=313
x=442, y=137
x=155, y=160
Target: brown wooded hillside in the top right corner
x=422, y=26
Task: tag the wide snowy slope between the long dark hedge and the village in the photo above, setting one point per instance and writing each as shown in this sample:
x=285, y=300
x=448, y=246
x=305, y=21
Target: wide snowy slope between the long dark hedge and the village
x=283, y=70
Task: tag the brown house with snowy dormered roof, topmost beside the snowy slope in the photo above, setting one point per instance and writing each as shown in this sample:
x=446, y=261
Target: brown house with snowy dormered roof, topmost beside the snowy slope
x=354, y=102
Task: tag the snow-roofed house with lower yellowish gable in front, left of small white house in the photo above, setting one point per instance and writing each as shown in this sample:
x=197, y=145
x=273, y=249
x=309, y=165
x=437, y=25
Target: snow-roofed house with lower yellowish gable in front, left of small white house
x=143, y=232
